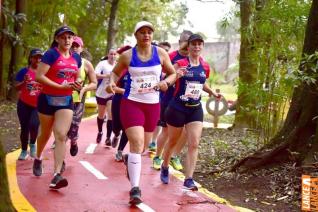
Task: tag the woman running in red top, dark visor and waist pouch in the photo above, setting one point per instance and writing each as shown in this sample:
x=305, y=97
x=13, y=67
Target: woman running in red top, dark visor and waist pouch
x=58, y=74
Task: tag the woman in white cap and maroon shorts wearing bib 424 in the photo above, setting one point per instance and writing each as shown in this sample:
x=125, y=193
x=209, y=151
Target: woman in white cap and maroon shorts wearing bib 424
x=139, y=109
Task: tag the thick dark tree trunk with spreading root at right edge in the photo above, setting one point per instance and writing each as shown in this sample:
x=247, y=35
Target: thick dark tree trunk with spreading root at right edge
x=295, y=141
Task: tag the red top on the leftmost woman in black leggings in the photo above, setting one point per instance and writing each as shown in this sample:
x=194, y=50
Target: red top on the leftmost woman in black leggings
x=30, y=91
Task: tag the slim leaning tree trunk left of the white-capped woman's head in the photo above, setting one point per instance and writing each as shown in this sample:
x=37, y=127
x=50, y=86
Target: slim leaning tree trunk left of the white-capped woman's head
x=112, y=29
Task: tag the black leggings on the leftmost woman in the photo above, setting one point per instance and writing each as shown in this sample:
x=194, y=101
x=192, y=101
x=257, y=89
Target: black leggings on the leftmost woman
x=29, y=121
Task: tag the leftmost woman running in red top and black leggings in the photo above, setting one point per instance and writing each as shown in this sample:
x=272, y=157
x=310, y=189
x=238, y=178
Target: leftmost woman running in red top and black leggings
x=29, y=91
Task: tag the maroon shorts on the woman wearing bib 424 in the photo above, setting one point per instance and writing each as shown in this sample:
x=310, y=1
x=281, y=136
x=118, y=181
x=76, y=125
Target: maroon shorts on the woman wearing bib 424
x=139, y=114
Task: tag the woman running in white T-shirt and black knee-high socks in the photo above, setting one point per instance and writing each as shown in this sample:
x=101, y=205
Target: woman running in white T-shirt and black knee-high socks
x=103, y=98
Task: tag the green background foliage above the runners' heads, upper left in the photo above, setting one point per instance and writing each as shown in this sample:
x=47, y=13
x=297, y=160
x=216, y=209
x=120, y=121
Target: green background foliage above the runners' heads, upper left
x=89, y=19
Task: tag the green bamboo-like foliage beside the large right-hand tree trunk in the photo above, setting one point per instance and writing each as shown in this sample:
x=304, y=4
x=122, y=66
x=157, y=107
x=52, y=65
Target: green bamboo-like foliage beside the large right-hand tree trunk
x=277, y=30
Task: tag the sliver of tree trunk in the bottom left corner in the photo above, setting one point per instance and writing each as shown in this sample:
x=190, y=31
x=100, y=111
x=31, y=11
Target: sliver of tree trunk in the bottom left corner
x=5, y=200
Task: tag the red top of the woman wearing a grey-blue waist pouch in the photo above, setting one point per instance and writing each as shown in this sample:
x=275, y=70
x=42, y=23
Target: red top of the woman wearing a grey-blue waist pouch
x=63, y=70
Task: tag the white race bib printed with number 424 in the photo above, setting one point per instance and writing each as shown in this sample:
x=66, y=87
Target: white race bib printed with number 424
x=144, y=84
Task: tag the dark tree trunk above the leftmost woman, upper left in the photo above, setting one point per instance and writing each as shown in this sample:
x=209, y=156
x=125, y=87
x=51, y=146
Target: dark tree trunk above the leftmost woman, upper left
x=16, y=47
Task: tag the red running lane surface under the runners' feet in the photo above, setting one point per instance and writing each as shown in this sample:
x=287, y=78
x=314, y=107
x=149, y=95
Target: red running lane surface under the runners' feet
x=87, y=193
